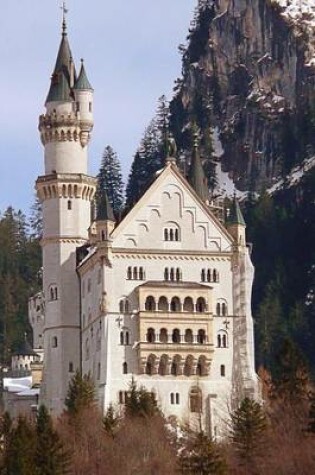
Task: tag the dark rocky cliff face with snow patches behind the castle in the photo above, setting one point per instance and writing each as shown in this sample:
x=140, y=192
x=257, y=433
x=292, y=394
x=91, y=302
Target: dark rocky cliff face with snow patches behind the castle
x=248, y=71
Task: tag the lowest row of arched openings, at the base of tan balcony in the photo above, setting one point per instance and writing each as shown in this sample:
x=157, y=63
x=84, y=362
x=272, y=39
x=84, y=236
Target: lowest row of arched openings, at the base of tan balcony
x=176, y=366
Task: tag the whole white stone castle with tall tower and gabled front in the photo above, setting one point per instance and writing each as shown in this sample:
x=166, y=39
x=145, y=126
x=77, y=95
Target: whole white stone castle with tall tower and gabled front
x=164, y=296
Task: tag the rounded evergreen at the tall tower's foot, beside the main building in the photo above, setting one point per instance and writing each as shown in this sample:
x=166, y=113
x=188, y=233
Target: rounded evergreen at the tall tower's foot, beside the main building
x=81, y=394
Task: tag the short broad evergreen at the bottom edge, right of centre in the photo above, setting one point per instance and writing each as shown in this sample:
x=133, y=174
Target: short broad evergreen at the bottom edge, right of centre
x=200, y=455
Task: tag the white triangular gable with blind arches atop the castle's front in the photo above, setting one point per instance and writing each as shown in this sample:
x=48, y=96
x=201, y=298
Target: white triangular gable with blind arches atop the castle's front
x=171, y=217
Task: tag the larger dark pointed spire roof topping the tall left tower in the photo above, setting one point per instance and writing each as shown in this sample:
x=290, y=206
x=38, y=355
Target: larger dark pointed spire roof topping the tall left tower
x=60, y=88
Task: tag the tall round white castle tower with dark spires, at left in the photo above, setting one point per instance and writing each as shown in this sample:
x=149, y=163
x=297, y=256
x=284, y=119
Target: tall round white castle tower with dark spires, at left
x=66, y=192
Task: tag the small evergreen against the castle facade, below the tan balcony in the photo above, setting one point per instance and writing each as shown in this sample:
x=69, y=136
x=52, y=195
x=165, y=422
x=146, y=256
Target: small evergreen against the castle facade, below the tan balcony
x=140, y=403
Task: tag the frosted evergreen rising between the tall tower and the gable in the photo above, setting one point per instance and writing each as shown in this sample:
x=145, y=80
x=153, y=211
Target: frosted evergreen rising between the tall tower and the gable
x=110, y=179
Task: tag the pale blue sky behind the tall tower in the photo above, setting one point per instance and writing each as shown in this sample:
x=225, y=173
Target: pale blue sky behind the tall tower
x=131, y=57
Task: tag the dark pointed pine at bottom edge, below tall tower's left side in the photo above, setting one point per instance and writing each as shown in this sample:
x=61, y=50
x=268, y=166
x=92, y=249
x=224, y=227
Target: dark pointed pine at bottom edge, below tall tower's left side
x=50, y=455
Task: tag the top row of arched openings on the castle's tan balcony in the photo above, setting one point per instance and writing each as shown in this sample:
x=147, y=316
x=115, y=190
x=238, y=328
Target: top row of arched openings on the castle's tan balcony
x=175, y=304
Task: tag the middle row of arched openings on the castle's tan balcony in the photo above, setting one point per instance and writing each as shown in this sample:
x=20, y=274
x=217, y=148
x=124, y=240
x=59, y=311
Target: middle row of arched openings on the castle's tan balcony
x=163, y=336
